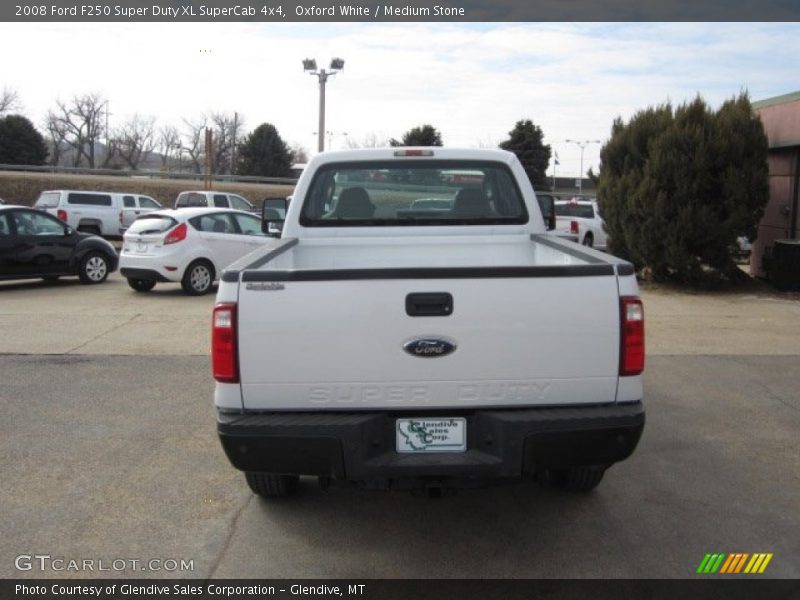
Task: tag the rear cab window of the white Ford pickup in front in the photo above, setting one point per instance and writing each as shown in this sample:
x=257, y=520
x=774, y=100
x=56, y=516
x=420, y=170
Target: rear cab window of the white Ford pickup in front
x=413, y=192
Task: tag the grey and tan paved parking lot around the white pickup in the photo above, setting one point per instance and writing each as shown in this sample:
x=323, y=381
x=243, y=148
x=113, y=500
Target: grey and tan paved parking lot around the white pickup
x=109, y=453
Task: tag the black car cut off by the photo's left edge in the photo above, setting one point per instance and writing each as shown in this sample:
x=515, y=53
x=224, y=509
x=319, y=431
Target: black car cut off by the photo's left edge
x=34, y=244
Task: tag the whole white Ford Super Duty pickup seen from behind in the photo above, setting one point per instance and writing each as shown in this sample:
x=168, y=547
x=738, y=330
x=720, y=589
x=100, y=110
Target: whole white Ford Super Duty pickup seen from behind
x=409, y=330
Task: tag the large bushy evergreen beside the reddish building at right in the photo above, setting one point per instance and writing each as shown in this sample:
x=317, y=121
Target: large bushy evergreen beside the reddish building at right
x=678, y=187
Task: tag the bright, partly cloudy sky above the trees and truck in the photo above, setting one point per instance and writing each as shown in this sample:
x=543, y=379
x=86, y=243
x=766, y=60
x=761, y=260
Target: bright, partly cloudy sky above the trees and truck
x=471, y=81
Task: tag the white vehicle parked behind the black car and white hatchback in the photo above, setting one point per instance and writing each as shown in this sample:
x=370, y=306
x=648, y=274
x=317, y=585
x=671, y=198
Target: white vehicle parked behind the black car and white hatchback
x=99, y=213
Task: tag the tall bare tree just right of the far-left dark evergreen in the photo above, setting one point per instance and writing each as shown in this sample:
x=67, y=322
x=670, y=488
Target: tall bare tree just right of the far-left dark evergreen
x=82, y=122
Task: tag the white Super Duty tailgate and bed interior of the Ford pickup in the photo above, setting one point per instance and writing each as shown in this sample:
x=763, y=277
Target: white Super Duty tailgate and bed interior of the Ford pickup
x=531, y=326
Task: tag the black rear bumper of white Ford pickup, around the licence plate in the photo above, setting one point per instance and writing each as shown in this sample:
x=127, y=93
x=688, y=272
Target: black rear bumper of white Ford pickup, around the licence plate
x=501, y=444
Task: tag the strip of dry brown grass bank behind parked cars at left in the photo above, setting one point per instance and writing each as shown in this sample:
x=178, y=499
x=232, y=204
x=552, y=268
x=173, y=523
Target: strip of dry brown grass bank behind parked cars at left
x=24, y=188
